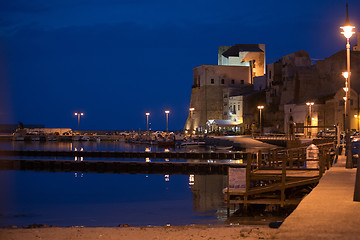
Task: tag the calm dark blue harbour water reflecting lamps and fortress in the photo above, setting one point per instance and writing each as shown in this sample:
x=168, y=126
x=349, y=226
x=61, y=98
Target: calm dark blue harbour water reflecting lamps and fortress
x=90, y=199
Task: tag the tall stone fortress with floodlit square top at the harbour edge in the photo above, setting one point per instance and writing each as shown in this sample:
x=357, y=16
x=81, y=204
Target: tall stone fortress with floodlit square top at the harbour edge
x=218, y=90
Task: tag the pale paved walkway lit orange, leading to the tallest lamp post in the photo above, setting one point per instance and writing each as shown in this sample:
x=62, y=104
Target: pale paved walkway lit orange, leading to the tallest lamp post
x=329, y=211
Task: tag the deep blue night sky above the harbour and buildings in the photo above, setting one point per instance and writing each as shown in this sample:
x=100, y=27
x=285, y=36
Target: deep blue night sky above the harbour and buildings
x=115, y=60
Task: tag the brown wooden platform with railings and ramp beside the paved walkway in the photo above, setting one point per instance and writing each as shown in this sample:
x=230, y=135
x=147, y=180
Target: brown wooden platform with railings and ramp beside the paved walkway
x=277, y=177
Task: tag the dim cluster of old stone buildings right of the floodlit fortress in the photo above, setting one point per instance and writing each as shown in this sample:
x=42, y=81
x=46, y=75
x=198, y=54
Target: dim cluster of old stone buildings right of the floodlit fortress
x=295, y=79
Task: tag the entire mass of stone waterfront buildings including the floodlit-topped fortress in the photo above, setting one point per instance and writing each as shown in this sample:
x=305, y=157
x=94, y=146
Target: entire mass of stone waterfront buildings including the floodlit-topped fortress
x=225, y=97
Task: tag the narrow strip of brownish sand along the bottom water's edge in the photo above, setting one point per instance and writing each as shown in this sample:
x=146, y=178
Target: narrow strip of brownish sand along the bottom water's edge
x=129, y=233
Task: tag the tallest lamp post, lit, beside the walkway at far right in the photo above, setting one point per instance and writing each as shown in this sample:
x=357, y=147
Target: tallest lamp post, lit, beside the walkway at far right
x=347, y=32
